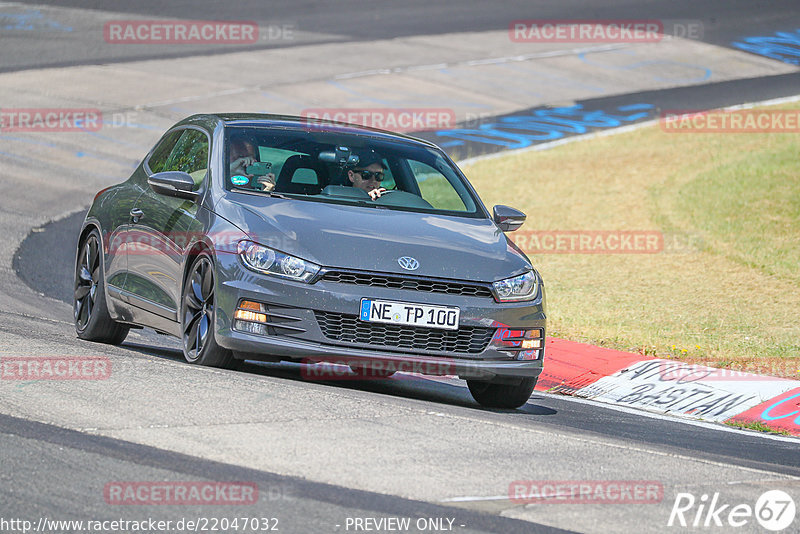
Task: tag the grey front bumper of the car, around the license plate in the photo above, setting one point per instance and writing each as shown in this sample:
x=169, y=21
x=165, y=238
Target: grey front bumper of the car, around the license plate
x=299, y=309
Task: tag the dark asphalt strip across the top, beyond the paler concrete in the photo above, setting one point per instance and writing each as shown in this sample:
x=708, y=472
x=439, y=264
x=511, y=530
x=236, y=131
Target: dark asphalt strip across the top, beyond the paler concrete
x=72, y=37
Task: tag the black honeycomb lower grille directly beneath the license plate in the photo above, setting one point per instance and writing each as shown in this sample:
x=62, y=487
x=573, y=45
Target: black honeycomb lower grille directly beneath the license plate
x=349, y=329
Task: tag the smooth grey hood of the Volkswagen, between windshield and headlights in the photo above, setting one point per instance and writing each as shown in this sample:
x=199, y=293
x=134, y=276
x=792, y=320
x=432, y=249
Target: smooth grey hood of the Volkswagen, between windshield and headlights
x=373, y=239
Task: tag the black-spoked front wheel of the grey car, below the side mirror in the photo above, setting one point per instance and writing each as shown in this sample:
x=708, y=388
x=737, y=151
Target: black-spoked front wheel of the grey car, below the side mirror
x=198, y=314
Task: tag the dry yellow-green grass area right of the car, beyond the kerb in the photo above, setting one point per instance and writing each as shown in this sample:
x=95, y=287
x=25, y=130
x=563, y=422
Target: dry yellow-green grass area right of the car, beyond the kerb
x=726, y=289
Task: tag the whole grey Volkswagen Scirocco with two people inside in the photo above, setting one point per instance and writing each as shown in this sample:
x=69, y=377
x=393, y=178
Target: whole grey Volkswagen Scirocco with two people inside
x=266, y=237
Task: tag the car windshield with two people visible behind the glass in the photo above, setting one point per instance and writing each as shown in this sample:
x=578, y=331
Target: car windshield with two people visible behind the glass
x=337, y=167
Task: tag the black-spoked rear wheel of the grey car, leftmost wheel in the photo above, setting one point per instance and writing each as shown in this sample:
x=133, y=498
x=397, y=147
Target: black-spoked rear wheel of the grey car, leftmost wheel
x=90, y=310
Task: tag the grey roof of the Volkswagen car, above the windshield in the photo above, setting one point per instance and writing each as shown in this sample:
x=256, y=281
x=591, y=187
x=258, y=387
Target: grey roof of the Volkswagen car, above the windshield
x=255, y=120
